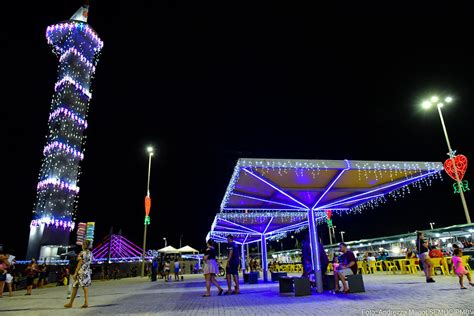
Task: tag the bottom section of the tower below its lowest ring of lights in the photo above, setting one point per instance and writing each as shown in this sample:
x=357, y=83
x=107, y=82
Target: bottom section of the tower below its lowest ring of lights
x=46, y=241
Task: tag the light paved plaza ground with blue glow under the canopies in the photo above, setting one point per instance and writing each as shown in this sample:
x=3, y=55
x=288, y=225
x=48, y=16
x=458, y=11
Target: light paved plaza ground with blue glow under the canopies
x=385, y=295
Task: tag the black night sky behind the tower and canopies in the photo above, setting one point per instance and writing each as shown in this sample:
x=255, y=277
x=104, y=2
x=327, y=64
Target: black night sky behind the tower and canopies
x=207, y=83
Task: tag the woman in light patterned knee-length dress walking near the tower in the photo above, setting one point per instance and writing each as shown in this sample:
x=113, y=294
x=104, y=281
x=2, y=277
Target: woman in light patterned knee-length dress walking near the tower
x=82, y=275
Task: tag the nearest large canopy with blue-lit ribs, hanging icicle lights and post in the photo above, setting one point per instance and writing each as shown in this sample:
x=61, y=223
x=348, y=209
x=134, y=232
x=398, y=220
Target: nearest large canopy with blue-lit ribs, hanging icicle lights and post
x=314, y=186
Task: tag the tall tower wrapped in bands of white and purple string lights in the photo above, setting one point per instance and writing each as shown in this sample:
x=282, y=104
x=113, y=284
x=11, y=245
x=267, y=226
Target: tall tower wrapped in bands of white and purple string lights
x=77, y=46
